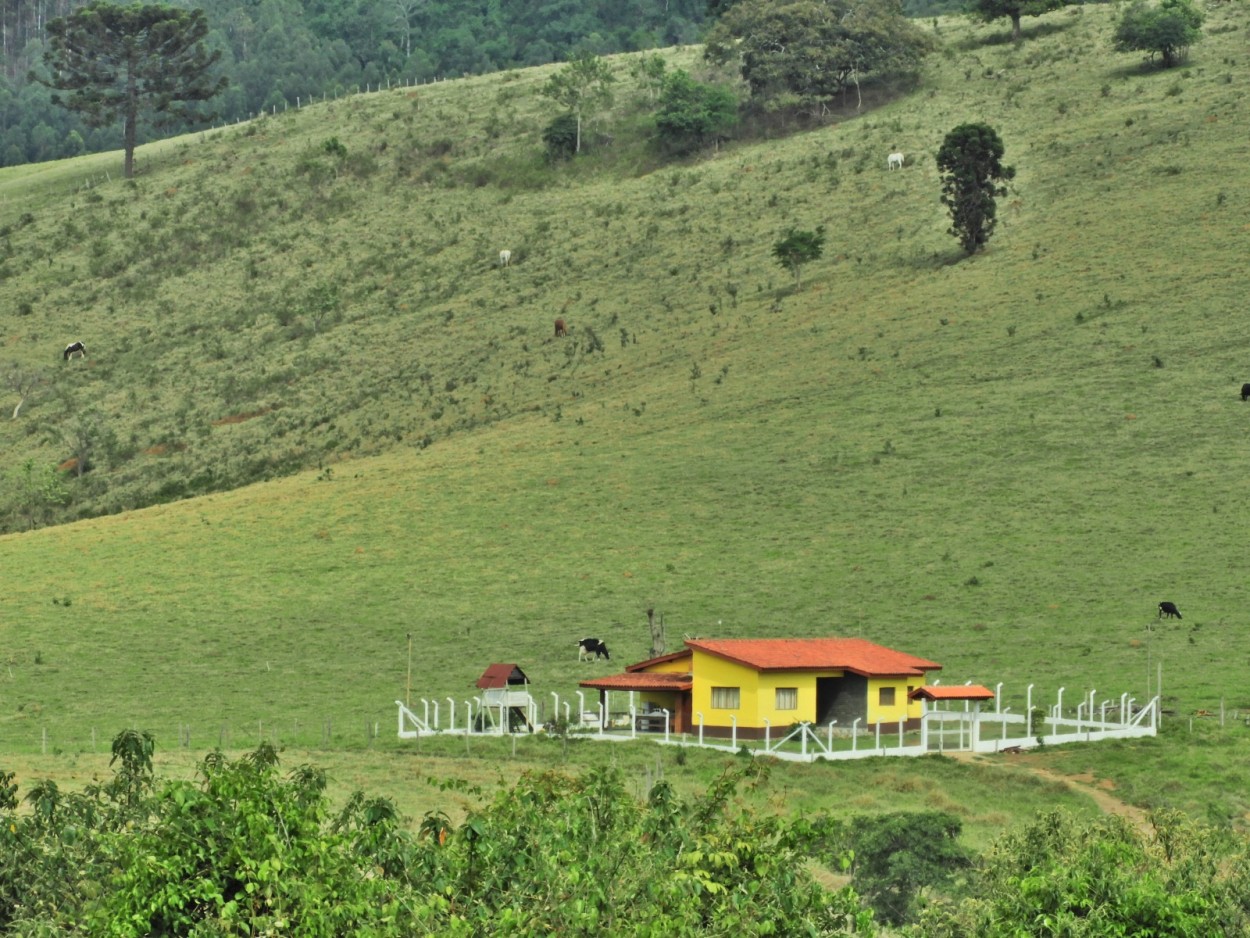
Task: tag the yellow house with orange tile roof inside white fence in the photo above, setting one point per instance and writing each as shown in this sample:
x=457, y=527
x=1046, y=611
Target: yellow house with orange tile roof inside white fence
x=751, y=685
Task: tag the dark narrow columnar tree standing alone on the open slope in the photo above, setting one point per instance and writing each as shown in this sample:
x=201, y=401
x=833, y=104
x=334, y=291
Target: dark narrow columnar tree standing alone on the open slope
x=971, y=162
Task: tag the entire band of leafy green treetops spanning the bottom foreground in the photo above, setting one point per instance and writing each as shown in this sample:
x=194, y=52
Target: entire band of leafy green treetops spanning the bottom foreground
x=247, y=849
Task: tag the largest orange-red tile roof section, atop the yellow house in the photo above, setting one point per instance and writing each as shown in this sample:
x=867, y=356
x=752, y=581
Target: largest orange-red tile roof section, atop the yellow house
x=854, y=655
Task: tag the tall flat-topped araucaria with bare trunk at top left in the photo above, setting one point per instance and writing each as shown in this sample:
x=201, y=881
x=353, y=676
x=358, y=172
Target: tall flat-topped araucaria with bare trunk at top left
x=121, y=62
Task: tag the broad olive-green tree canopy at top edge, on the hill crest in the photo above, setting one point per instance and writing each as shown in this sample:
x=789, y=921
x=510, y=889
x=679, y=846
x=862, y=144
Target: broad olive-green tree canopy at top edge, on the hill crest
x=808, y=52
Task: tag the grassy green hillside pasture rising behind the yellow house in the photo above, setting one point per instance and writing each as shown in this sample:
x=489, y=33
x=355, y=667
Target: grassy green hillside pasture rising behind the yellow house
x=1001, y=463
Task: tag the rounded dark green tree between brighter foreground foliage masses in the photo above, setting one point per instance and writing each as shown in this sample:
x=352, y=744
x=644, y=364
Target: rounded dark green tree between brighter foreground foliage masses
x=897, y=856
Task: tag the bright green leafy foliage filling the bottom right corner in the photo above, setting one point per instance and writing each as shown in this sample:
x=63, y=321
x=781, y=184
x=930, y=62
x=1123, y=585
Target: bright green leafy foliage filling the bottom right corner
x=1066, y=877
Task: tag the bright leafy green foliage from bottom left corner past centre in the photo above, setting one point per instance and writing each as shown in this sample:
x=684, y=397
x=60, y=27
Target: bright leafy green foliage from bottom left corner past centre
x=248, y=851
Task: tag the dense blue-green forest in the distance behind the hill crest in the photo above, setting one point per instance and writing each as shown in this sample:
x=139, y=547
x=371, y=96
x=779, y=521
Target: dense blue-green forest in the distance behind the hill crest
x=276, y=52
